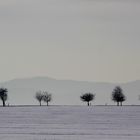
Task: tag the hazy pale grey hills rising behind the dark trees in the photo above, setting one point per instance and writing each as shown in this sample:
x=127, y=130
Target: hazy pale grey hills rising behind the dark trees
x=67, y=92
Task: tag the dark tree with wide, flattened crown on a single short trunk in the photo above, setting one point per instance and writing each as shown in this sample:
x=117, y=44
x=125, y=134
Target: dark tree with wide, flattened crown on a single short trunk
x=87, y=97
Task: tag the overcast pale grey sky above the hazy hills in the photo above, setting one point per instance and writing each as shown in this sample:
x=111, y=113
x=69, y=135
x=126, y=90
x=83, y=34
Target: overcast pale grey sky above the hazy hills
x=92, y=40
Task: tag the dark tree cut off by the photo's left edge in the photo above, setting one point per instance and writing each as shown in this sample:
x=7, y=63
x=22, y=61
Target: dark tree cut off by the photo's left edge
x=3, y=95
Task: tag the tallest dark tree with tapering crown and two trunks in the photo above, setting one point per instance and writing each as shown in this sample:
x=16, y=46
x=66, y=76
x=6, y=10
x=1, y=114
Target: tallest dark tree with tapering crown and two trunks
x=118, y=96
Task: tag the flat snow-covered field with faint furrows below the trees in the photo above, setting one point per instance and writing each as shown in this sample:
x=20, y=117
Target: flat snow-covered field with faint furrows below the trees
x=70, y=123
